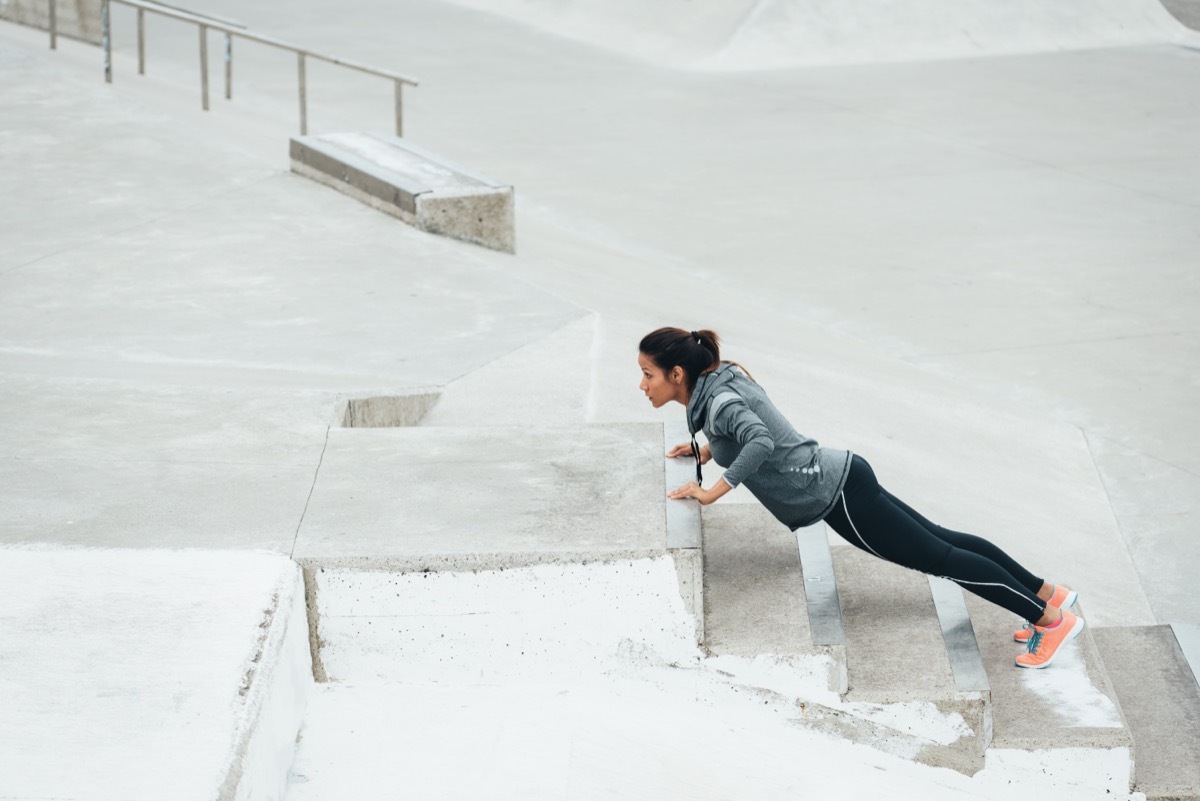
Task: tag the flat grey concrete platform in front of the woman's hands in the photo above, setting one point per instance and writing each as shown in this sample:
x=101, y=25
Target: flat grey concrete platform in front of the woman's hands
x=460, y=498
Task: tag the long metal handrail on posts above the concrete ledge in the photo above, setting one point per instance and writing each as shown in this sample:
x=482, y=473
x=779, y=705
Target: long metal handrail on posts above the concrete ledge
x=230, y=29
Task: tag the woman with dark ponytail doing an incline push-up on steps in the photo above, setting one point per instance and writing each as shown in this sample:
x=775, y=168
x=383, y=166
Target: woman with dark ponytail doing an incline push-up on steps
x=801, y=484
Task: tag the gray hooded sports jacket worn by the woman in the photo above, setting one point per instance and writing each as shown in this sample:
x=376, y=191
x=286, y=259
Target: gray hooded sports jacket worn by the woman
x=796, y=479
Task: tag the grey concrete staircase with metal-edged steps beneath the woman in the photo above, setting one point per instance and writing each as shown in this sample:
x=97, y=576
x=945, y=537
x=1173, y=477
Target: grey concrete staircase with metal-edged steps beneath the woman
x=1118, y=713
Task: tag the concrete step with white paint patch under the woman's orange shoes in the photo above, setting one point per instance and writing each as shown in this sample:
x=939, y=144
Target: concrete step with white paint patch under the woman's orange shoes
x=1059, y=720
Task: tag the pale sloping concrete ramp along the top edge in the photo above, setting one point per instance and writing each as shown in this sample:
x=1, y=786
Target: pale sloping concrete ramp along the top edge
x=742, y=35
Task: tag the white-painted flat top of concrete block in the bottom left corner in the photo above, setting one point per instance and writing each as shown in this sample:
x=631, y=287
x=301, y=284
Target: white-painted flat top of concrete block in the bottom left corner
x=127, y=674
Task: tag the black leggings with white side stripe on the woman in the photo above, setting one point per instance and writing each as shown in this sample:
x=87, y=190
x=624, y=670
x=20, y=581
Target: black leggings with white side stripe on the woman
x=871, y=517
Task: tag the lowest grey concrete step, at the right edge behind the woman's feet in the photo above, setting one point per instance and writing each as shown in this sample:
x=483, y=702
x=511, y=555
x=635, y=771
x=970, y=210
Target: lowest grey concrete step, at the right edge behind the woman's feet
x=1161, y=701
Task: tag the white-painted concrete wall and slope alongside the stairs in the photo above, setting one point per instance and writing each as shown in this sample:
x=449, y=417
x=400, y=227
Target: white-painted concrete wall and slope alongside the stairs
x=584, y=683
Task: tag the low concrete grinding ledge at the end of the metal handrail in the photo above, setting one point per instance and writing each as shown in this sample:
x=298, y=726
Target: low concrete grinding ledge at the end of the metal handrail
x=412, y=184
